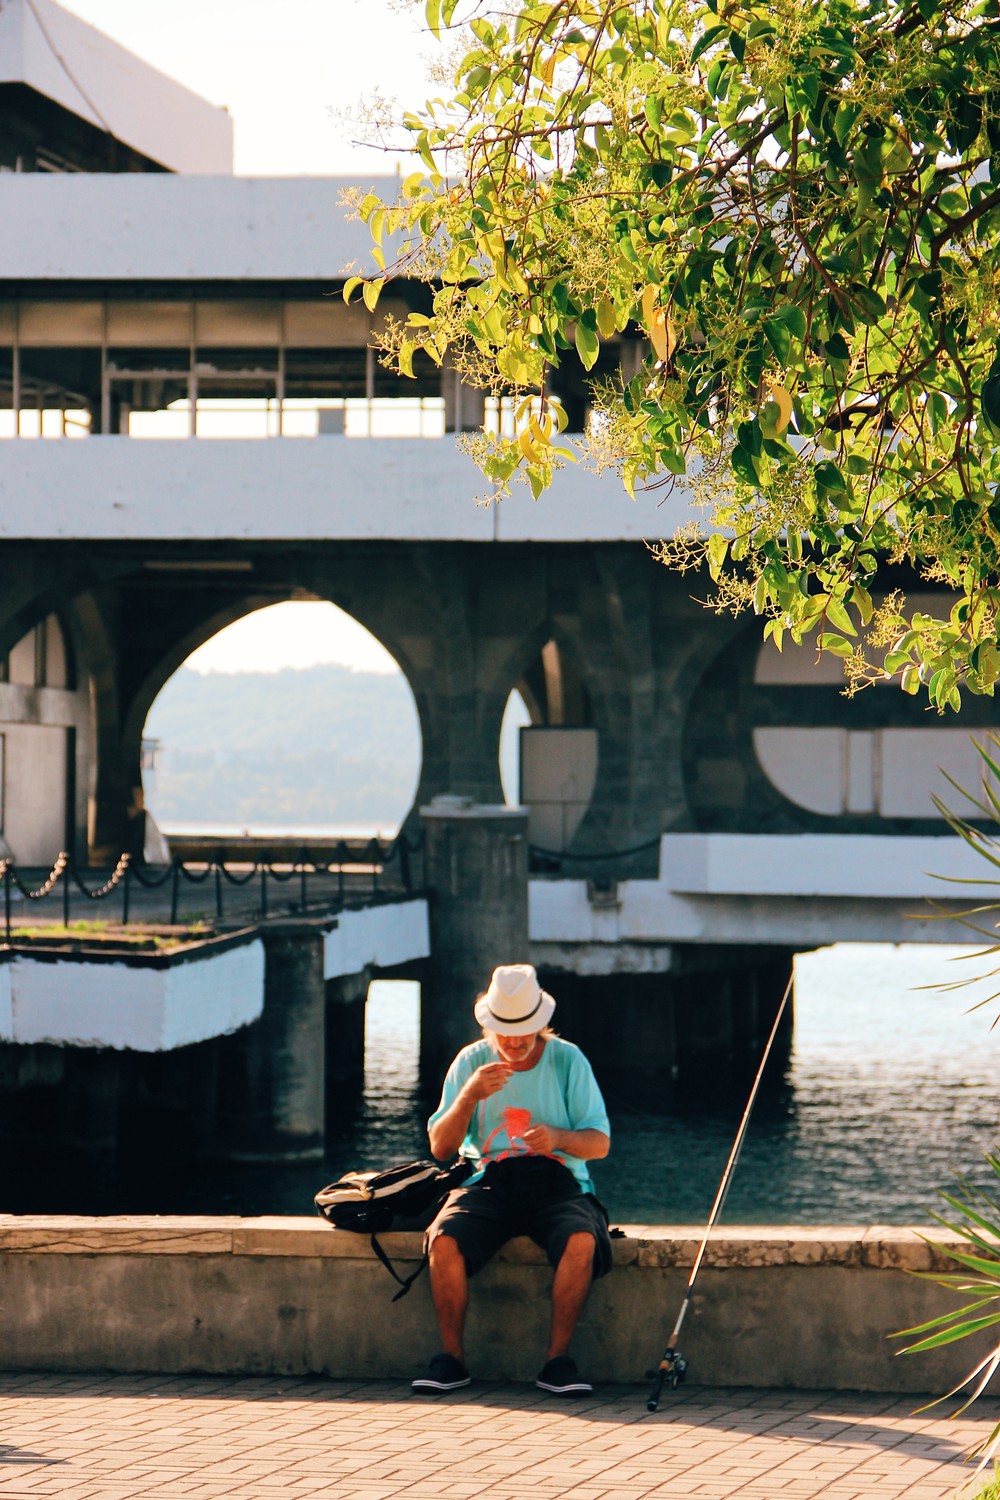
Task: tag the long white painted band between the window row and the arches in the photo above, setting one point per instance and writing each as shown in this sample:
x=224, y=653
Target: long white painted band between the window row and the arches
x=325, y=488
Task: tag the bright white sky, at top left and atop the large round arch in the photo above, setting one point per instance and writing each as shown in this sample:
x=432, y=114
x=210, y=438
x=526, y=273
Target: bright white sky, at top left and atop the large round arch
x=287, y=71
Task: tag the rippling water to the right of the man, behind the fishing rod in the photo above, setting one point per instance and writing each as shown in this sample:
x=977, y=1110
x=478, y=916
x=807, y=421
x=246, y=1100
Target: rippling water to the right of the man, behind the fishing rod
x=891, y=1093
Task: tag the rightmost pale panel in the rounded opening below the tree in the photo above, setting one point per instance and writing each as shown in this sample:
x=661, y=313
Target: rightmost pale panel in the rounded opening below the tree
x=914, y=763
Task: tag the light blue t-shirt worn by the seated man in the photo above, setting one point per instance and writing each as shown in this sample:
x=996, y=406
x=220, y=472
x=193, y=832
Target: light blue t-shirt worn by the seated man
x=560, y=1091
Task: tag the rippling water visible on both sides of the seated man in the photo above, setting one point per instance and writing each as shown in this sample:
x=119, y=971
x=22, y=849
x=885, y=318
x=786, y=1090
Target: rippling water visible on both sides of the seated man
x=890, y=1093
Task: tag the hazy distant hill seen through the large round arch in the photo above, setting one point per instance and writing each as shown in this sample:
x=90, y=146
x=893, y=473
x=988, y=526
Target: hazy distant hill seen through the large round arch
x=317, y=746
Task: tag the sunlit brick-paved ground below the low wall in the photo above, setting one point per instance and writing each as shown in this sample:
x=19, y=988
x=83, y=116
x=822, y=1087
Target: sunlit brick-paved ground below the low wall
x=109, y=1438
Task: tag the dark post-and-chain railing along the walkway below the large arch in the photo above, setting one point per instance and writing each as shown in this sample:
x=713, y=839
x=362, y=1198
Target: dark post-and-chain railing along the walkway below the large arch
x=361, y=872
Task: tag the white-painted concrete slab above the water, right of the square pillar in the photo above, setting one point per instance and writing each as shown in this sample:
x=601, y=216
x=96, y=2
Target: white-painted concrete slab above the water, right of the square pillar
x=800, y=890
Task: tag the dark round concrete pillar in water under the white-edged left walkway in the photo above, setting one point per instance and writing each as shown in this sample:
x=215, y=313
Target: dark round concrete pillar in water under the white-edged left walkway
x=272, y=1082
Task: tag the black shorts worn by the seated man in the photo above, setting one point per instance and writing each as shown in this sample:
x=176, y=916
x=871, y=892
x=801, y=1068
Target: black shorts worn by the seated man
x=533, y=1196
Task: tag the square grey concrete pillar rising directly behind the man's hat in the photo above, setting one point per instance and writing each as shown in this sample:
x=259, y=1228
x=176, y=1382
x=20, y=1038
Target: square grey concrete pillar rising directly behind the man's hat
x=476, y=871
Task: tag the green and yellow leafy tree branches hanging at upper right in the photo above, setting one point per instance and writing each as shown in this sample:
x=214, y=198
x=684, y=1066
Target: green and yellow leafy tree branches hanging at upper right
x=798, y=208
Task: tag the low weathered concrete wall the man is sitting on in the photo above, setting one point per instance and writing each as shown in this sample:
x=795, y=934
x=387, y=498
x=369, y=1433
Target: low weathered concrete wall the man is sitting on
x=773, y=1307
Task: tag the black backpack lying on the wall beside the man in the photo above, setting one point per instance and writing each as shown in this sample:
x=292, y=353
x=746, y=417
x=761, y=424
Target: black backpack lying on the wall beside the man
x=401, y=1198
